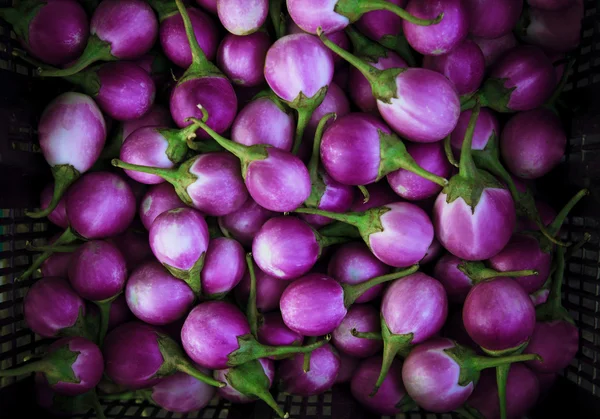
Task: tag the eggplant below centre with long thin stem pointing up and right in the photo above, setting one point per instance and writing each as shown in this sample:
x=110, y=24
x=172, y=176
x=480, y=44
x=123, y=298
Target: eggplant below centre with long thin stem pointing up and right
x=316, y=304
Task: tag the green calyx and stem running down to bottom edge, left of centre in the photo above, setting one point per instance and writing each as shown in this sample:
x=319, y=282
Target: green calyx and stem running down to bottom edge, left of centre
x=250, y=380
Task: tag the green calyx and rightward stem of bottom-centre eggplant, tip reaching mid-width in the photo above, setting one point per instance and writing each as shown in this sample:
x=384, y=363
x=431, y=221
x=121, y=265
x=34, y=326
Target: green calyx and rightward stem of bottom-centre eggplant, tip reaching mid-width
x=250, y=349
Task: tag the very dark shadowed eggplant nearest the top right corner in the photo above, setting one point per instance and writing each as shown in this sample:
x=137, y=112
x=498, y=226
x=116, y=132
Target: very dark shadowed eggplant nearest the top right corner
x=556, y=30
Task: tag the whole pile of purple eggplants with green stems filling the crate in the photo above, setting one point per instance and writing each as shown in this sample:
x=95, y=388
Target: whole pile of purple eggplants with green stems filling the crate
x=255, y=197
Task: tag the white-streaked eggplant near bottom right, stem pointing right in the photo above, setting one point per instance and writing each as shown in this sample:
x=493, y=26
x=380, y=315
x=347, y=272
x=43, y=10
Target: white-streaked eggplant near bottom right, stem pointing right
x=440, y=374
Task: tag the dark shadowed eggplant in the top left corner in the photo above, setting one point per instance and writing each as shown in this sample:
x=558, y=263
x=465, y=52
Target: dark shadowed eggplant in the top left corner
x=54, y=32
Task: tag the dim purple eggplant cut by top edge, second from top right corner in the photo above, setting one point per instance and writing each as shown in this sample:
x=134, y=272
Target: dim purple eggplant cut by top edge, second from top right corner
x=493, y=18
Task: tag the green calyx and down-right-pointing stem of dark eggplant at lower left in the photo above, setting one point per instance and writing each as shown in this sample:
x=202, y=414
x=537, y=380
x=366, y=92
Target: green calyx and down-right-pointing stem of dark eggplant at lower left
x=174, y=361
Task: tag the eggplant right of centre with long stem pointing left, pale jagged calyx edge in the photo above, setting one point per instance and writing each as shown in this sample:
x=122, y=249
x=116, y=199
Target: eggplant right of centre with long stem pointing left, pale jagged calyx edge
x=381, y=229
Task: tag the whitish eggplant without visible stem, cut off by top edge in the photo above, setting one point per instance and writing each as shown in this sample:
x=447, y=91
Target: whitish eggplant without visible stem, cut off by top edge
x=242, y=17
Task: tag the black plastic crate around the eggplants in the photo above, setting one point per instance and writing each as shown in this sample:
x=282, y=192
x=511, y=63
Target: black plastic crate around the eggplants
x=23, y=173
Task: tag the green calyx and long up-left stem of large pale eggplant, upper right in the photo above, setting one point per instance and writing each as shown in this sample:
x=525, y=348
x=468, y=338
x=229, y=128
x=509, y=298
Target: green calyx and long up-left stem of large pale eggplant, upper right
x=383, y=82
